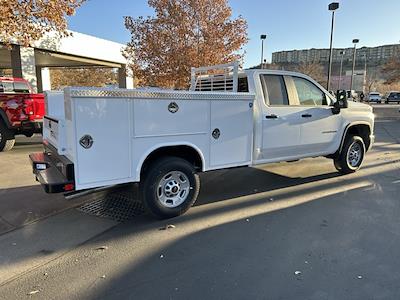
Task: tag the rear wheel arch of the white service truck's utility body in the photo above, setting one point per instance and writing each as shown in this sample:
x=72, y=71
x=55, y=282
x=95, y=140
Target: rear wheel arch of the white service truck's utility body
x=186, y=151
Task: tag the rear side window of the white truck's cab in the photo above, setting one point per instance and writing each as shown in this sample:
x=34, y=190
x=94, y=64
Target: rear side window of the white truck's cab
x=274, y=90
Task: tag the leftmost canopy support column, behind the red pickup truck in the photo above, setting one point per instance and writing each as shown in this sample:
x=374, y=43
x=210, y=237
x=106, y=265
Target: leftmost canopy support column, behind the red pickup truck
x=23, y=64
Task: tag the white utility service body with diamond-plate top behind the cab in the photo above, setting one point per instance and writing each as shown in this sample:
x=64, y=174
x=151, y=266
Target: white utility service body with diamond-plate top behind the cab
x=108, y=133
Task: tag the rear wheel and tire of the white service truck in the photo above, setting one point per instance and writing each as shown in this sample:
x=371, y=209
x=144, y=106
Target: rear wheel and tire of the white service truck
x=170, y=187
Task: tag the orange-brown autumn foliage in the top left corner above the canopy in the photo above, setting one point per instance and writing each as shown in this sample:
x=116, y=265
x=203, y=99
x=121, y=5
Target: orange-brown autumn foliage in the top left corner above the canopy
x=25, y=21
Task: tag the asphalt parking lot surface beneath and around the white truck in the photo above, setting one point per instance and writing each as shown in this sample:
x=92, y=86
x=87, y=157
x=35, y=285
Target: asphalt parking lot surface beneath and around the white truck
x=282, y=231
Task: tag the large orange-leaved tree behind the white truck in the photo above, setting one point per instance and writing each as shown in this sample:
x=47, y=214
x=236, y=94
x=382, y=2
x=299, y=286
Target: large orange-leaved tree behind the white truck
x=182, y=34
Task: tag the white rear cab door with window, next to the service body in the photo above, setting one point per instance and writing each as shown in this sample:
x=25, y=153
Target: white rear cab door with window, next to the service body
x=280, y=121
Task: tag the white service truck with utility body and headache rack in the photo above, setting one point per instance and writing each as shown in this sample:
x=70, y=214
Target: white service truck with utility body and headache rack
x=95, y=137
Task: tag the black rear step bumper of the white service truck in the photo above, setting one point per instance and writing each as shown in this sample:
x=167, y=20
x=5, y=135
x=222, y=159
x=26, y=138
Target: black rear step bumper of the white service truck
x=55, y=173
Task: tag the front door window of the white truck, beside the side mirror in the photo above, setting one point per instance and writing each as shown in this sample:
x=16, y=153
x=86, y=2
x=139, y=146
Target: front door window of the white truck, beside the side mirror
x=308, y=93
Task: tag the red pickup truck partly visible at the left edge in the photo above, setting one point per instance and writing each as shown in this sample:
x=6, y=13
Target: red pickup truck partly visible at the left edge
x=21, y=111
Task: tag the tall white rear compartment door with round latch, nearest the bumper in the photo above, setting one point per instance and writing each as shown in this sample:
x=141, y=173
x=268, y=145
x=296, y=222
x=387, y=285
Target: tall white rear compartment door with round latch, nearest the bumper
x=102, y=141
